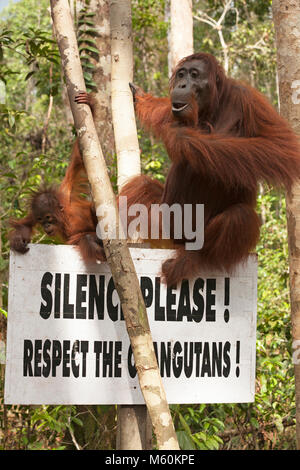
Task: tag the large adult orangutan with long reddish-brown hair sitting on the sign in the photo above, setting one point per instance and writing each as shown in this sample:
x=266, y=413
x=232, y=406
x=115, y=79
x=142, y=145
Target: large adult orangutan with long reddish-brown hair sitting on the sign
x=223, y=137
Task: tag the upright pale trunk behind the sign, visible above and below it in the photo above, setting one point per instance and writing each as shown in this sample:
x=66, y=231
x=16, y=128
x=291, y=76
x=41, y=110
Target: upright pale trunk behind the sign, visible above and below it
x=133, y=430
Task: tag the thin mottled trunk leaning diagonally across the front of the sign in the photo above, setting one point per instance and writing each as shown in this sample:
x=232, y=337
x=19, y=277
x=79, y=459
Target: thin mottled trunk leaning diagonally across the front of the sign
x=117, y=252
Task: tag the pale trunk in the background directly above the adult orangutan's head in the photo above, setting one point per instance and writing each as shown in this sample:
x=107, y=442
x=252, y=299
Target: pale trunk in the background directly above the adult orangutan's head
x=181, y=42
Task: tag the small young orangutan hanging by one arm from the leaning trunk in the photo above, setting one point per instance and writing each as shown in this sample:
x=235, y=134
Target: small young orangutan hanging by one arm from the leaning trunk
x=61, y=211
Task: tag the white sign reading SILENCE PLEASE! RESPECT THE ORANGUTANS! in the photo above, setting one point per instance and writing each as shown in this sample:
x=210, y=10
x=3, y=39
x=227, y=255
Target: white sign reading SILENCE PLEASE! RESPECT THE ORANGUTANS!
x=67, y=341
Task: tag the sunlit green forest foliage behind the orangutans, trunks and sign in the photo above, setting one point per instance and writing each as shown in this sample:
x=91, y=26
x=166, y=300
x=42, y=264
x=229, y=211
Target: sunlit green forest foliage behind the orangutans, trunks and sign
x=35, y=148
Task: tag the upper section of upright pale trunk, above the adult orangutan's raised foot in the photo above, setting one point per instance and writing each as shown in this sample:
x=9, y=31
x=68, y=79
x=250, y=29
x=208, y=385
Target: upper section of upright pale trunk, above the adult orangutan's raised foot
x=127, y=146
